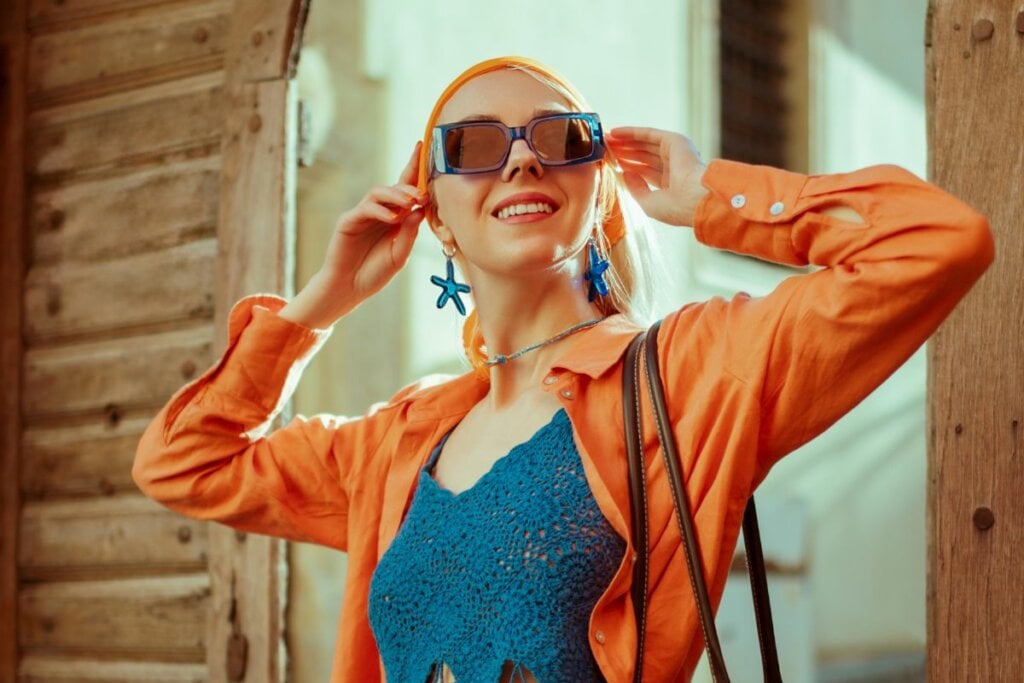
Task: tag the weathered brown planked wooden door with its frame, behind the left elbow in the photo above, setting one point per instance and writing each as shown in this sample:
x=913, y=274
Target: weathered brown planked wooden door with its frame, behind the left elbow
x=127, y=105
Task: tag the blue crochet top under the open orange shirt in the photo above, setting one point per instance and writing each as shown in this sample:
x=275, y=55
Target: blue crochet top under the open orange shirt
x=501, y=579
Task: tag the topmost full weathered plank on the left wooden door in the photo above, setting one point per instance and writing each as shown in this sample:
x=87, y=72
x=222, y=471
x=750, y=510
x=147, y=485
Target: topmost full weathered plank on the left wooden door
x=127, y=52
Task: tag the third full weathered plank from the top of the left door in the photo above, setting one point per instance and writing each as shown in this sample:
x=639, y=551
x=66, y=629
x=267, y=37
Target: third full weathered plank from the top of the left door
x=153, y=209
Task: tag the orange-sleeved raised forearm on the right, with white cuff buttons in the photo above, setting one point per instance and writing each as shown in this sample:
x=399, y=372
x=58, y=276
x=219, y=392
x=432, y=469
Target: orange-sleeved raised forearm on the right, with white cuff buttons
x=884, y=215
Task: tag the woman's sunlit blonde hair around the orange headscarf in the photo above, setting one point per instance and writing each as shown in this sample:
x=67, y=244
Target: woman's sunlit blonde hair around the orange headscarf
x=623, y=234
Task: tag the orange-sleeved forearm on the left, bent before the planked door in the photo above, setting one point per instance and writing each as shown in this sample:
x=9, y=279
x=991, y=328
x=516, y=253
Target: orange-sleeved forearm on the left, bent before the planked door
x=190, y=456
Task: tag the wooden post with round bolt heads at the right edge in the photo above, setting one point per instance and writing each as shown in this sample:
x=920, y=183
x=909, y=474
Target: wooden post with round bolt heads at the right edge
x=976, y=362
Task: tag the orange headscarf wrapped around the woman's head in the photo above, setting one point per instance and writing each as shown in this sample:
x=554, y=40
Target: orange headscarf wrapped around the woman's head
x=614, y=228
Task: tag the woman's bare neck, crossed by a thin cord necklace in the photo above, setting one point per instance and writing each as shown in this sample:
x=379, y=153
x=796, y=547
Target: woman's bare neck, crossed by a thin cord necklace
x=517, y=314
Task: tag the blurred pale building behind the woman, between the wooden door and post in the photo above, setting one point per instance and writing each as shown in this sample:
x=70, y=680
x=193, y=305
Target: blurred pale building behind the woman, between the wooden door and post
x=818, y=87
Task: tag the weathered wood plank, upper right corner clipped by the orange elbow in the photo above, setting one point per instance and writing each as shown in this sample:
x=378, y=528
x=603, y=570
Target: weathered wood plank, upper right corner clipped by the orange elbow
x=120, y=534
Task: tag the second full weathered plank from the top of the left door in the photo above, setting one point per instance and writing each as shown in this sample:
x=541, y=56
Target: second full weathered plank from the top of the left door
x=142, y=133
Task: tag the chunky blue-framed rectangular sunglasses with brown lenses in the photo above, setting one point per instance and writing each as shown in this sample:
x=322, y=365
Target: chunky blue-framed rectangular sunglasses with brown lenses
x=481, y=147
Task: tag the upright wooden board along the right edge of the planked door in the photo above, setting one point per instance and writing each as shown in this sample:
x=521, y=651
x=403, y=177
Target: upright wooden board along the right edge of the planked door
x=255, y=236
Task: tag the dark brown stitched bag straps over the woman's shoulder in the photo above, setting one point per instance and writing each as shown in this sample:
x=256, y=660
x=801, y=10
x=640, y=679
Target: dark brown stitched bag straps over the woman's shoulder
x=648, y=344
